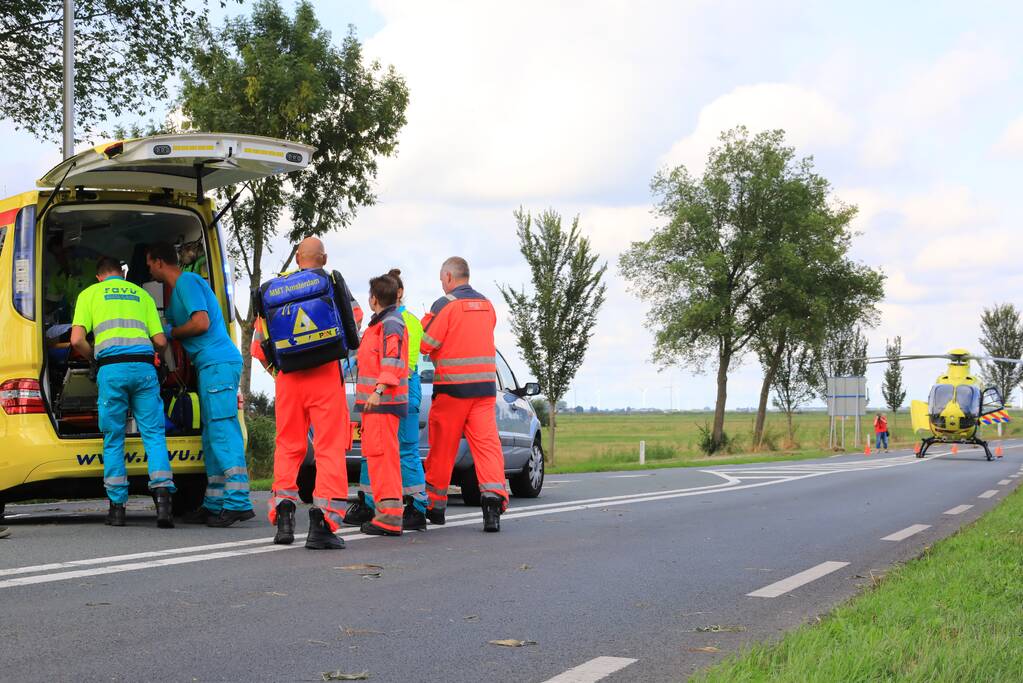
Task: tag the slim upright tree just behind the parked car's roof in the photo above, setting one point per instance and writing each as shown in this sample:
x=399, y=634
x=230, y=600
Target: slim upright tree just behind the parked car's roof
x=553, y=326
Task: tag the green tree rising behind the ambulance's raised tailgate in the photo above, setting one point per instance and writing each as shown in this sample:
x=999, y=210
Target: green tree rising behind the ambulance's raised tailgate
x=283, y=77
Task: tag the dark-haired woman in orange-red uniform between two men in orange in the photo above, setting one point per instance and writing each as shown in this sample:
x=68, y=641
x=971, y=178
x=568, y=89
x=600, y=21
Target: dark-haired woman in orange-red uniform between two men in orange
x=382, y=397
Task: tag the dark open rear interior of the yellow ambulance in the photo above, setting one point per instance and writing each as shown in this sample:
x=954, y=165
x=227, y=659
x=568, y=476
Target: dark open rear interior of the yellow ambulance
x=75, y=237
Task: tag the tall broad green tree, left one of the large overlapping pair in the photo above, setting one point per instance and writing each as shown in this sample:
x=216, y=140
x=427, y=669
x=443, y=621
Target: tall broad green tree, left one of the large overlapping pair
x=710, y=272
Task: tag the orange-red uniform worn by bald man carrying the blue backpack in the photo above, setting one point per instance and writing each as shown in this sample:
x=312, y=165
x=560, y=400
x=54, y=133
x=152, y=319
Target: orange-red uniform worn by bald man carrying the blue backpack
x=314, y=397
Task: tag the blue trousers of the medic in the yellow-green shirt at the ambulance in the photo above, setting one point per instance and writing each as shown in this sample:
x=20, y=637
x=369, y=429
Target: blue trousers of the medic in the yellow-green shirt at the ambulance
x=136, y=385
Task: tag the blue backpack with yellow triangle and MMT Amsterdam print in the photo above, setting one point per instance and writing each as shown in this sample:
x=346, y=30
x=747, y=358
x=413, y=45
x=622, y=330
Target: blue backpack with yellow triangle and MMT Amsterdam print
x=309, y=320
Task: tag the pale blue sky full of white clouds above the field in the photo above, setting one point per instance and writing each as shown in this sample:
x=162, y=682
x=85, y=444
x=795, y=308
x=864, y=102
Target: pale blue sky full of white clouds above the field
x=914, y=111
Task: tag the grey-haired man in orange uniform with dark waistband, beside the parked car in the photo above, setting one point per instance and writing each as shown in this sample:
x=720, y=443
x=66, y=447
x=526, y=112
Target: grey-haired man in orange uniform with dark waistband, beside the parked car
x=459, y=337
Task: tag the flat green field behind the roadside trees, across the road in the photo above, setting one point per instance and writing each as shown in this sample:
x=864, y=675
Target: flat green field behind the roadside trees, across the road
x=608, y=439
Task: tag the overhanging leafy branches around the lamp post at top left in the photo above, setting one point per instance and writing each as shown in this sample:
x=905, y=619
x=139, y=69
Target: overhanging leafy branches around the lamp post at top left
x=125, y=52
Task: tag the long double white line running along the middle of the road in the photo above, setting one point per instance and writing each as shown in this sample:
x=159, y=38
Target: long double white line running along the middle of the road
x=237, y=549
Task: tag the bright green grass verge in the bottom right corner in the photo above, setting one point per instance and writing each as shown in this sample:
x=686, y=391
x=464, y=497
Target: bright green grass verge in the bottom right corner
x=956, y=614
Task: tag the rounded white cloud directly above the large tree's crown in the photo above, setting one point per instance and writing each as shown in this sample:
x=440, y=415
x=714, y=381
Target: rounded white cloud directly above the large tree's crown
x=811, y=121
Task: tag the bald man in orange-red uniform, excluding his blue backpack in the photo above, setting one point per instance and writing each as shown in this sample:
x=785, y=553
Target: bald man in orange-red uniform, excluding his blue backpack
x=315, y=396
